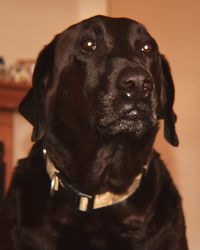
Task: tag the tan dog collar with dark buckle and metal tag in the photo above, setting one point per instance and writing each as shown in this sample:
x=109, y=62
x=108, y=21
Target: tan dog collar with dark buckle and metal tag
x=87, y=202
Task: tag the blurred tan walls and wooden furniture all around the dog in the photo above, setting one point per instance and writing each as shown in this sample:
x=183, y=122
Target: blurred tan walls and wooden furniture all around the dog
x=26, y=26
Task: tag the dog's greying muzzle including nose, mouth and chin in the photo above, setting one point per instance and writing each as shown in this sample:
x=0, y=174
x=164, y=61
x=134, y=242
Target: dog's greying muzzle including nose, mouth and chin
x=129, y=105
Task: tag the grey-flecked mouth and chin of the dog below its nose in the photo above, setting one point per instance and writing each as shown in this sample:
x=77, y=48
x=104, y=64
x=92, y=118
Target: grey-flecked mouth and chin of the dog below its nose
x=128, y=118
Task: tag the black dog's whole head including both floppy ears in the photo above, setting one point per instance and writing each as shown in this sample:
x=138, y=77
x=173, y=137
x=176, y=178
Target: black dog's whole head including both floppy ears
x=104, y=75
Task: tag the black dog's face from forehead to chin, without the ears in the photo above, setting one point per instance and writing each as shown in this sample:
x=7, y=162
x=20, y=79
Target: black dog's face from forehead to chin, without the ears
x=109, y=77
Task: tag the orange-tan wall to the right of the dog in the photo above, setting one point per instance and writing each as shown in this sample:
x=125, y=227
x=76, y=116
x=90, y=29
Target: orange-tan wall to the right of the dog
x=176, y=26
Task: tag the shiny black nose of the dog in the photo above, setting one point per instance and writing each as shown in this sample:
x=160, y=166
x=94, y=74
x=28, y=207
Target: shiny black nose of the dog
x=135, y=81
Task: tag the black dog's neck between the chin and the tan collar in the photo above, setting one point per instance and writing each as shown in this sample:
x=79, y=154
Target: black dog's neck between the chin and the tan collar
x=101, y=166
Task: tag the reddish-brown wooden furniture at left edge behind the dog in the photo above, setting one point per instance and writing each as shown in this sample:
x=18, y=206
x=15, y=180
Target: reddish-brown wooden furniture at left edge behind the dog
x=11, y=94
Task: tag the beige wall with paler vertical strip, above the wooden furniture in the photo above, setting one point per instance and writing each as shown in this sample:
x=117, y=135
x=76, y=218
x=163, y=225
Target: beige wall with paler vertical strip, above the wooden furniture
x=26, y=26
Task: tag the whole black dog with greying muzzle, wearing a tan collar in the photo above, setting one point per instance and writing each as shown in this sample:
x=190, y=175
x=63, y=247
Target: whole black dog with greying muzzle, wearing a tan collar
x=92, y=180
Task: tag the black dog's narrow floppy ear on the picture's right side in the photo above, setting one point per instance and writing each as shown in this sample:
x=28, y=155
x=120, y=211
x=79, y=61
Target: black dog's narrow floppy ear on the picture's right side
x=167, y=104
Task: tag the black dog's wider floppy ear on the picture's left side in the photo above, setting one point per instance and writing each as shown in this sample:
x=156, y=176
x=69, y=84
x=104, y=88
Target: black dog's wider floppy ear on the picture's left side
x=32, y=106
